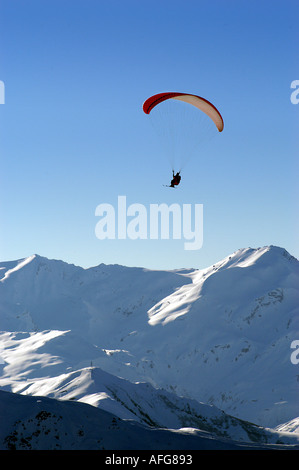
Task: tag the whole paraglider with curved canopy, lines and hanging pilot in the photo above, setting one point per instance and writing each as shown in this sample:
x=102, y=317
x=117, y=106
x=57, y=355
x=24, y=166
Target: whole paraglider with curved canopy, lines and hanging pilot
x=178, y=128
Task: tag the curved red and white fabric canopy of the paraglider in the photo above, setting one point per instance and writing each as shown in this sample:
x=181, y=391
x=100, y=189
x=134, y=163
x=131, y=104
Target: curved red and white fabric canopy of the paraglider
x=201, y=103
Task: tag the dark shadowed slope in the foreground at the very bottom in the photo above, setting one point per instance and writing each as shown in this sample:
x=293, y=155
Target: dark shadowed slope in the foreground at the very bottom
x=39, y=423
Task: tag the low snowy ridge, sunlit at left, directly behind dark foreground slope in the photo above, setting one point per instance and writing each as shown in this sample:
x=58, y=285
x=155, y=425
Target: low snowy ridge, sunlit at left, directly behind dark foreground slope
x=147, y=405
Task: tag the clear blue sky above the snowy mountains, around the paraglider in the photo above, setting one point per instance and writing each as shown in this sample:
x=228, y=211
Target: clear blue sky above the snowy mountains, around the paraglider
x=73, y=134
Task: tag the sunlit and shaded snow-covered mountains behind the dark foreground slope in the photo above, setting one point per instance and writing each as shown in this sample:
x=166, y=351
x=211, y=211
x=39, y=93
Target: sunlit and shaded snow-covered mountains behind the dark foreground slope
x=221, y=335
